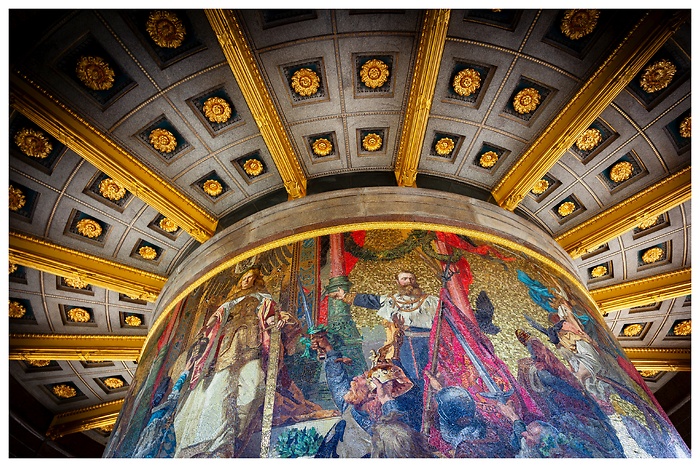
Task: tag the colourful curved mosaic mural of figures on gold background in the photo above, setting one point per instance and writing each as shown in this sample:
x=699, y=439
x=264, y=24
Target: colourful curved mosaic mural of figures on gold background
x=389, y=343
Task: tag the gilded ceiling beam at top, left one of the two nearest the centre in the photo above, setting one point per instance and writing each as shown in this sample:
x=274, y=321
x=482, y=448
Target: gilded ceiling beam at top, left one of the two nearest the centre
x=245, y=71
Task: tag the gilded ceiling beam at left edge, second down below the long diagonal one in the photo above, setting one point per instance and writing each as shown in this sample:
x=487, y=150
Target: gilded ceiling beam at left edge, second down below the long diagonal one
x=45, y=256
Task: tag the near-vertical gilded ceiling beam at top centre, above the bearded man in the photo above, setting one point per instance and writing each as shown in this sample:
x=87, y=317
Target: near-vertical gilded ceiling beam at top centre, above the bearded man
x=423, y=82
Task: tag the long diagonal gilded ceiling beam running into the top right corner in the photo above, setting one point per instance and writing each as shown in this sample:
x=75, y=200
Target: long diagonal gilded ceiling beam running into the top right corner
x=609, y=80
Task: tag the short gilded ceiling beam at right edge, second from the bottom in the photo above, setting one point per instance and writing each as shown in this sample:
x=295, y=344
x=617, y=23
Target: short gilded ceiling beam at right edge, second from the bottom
x=643, y=291
